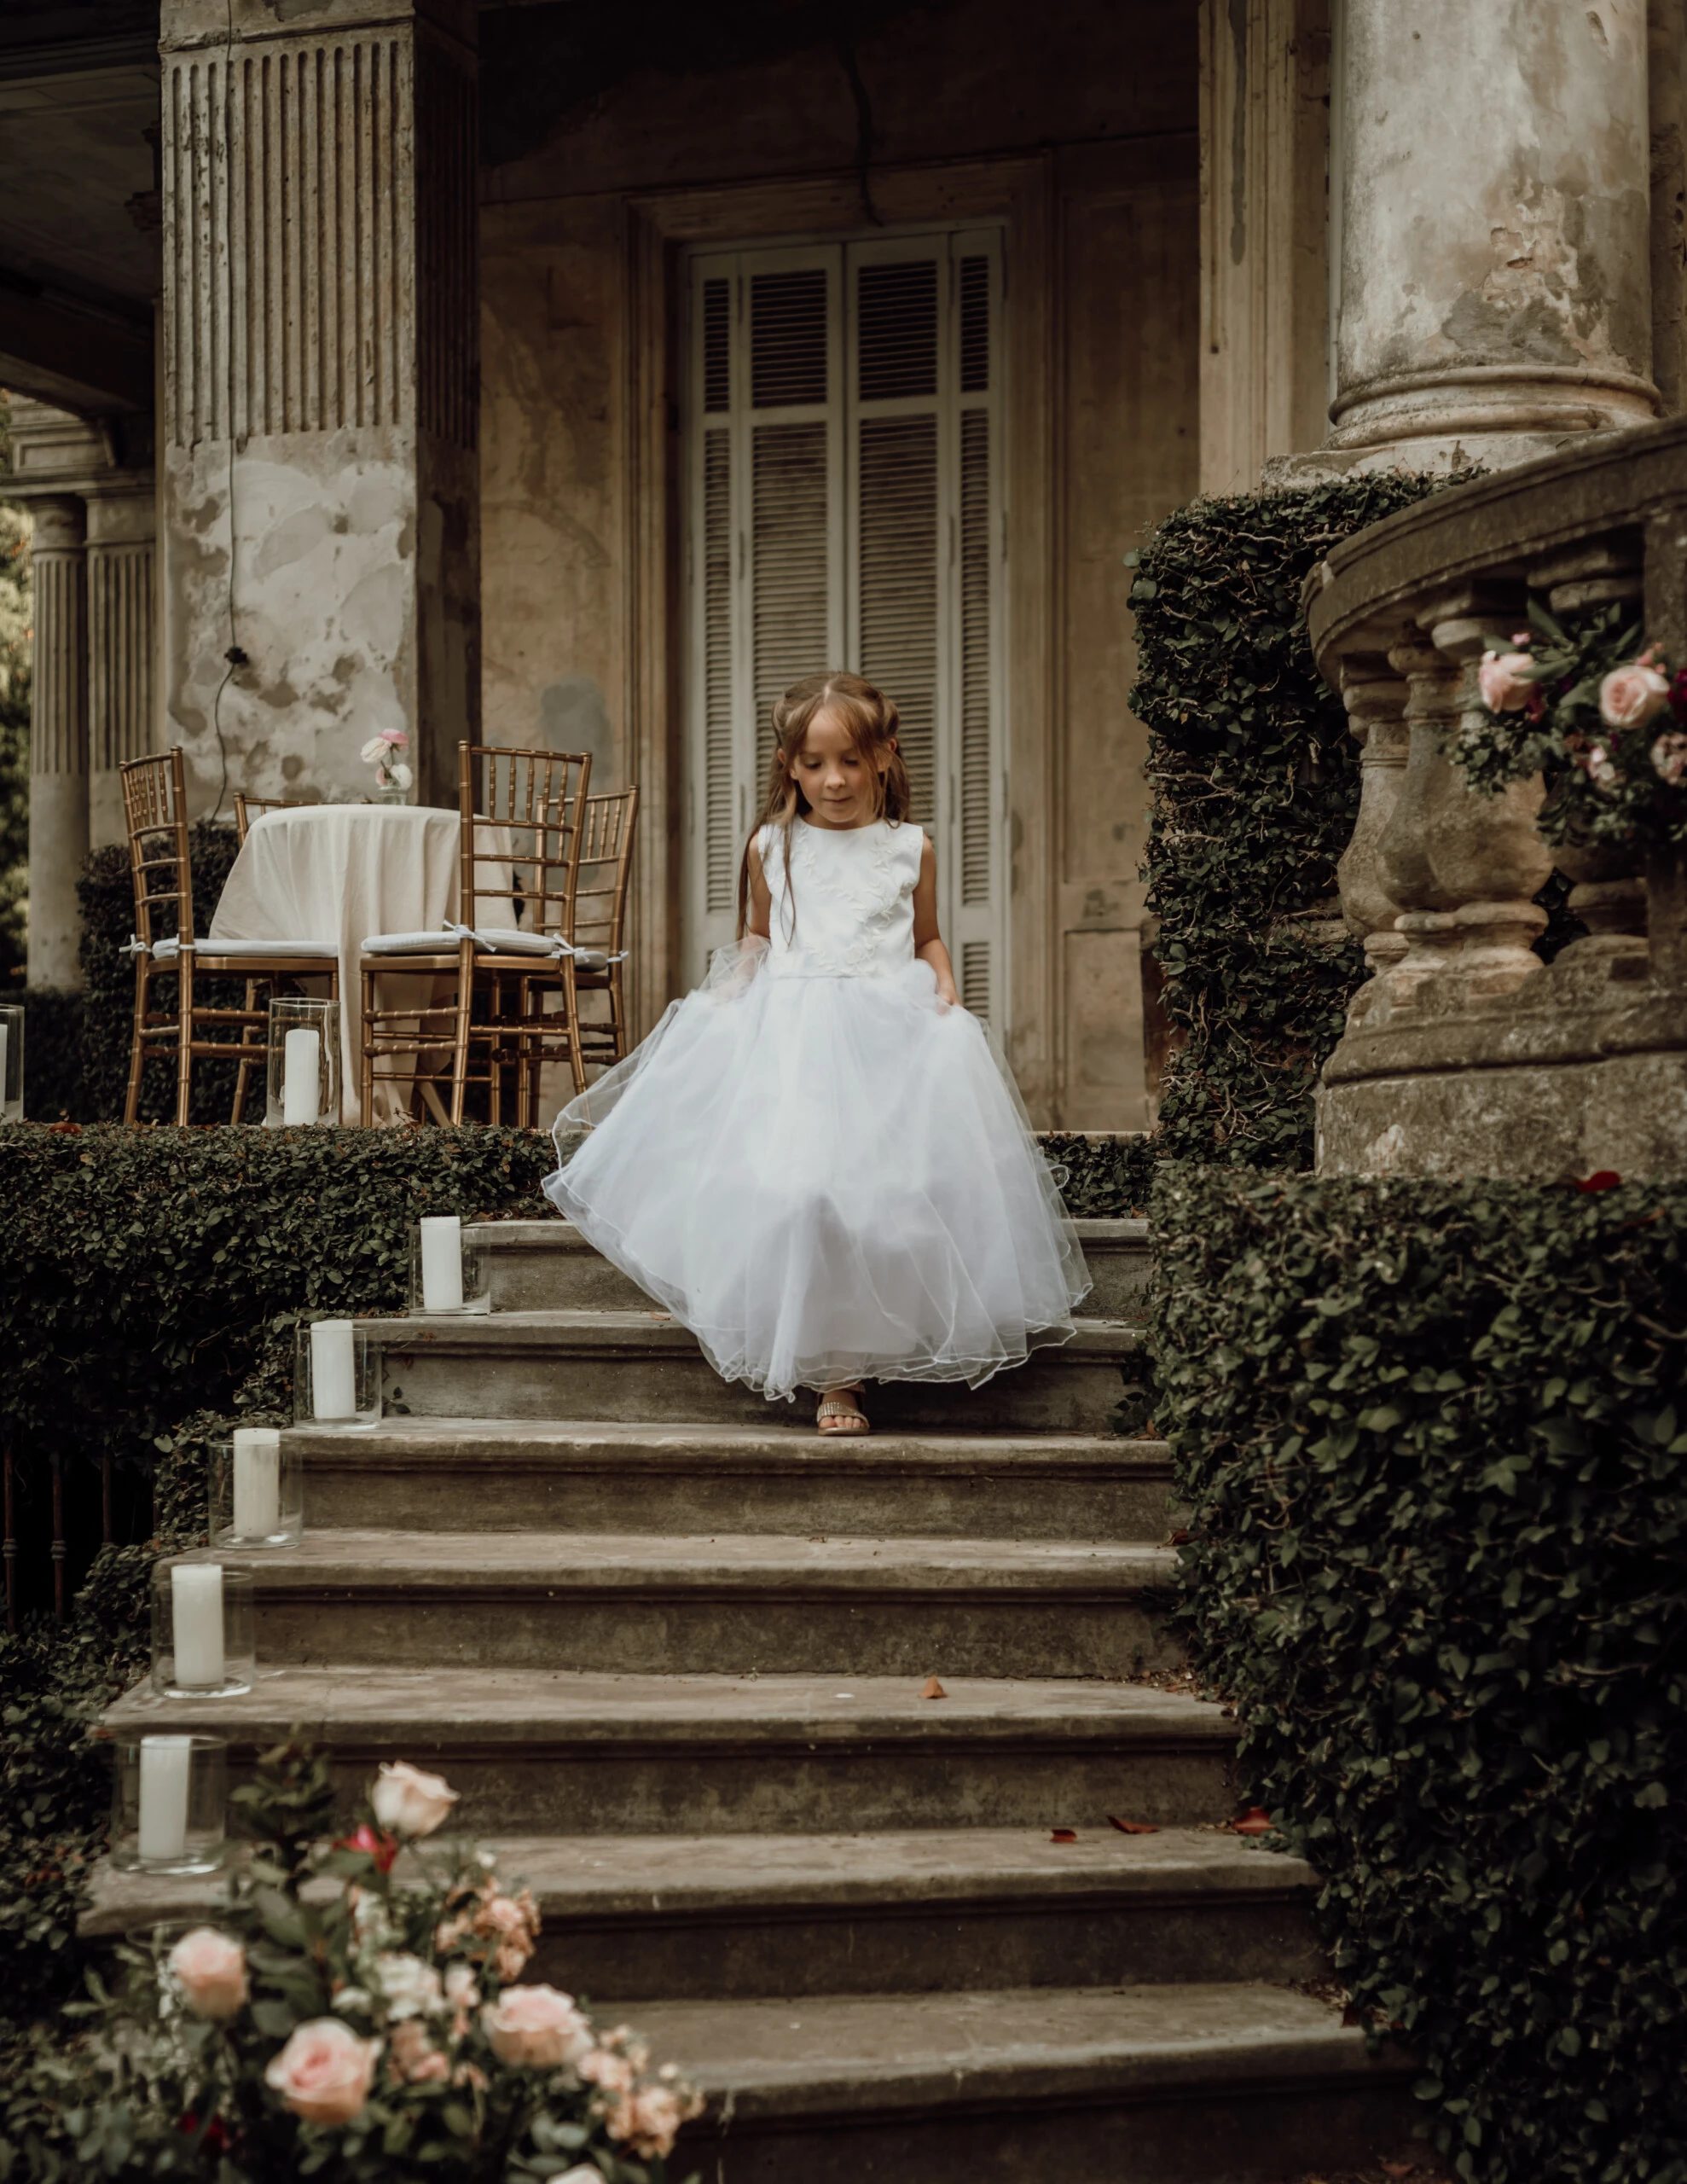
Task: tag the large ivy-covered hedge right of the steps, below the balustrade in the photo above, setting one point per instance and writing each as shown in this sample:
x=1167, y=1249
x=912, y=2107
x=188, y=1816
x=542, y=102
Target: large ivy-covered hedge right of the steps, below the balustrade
x=1435, y=1443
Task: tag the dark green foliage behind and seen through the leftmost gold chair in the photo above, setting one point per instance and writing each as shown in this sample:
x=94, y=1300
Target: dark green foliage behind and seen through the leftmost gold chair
x=108, y=901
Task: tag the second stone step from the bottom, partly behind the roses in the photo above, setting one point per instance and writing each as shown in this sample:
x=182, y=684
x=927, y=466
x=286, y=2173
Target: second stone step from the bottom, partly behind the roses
x=734, y=1916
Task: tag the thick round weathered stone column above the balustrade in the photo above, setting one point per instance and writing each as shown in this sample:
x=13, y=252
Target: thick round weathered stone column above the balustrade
x=1494, y=230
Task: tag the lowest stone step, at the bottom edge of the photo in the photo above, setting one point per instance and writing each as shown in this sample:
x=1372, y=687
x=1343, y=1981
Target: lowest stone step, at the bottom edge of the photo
x=1171, y=2085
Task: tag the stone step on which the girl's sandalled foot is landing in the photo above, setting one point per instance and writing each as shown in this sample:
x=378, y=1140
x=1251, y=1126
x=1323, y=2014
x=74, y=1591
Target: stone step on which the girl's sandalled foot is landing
x=468, y=1475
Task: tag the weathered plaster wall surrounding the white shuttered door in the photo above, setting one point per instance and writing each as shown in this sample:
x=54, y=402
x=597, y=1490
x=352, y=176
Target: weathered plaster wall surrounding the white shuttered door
x=1118, y=261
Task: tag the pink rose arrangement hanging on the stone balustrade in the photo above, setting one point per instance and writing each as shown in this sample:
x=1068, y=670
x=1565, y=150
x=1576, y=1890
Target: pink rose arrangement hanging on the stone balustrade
x=1601, y=717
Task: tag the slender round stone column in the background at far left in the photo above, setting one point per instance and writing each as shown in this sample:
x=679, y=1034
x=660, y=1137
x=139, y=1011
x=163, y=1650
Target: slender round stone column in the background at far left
x=58, y=757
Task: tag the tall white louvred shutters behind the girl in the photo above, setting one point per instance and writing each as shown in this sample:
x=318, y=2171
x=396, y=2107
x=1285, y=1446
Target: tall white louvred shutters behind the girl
x=846, y=510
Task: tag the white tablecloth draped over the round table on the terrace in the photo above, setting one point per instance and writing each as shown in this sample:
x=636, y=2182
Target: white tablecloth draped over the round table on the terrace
x=337, y=873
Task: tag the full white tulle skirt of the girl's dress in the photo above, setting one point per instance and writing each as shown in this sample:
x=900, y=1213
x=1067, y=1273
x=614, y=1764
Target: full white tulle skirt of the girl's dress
x=826, y=1180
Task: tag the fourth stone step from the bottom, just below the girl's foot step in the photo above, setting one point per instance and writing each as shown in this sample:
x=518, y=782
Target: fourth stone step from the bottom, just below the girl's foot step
x=641, y=1604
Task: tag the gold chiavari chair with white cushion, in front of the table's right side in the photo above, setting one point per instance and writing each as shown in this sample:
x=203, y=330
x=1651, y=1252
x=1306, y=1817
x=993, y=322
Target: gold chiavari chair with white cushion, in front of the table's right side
x=521, y=855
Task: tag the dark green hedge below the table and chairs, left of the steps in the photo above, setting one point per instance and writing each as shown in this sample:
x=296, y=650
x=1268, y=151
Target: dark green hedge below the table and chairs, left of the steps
x=147, y=1272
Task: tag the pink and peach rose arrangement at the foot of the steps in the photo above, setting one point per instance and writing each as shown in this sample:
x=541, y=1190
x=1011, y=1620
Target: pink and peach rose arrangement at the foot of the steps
x=363, y=2023
